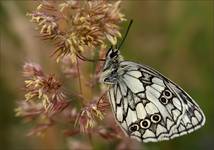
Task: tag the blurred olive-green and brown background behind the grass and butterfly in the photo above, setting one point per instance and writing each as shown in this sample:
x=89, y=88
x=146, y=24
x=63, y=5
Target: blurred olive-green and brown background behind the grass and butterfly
x=174, y=37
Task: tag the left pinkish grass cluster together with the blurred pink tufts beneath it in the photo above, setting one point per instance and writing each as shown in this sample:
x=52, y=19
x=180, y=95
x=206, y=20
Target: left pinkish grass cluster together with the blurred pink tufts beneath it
x=44, y=99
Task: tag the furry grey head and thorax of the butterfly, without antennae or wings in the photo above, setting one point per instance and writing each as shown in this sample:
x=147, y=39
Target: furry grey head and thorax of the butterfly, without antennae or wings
x=109, y=73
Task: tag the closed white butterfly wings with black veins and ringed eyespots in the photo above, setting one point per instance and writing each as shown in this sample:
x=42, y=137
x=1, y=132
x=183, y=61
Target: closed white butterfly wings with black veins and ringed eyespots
x=149, y=107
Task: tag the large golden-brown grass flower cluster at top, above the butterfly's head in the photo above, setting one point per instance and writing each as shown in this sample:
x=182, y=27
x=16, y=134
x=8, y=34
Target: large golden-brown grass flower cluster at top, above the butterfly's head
x=76, y=26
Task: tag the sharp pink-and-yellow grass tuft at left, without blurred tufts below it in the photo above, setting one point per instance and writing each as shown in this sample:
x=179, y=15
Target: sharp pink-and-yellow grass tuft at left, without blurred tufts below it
x=44, y=89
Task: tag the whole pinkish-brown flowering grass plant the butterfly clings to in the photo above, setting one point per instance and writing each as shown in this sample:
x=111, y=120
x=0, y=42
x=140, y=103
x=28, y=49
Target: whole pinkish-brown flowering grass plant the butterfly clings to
x=77, y=28
